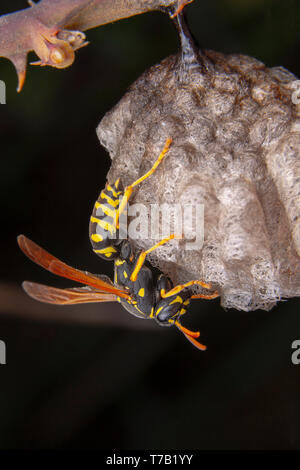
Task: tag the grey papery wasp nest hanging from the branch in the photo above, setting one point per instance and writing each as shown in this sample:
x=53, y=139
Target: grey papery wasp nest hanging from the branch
x=236, y=148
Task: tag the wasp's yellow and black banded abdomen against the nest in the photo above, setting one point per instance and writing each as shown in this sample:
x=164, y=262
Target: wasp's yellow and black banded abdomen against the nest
x=103, y=232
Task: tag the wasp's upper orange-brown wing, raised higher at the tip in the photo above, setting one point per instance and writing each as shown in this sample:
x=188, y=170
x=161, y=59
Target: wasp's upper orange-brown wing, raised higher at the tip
x=55, y=266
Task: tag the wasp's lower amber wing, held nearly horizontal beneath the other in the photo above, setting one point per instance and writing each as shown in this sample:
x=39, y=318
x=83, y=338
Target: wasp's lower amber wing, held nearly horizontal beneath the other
x=77, y=295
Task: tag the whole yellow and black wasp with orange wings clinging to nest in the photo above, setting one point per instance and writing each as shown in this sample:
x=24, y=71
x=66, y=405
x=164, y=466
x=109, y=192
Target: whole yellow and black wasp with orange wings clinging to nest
x=140, y=289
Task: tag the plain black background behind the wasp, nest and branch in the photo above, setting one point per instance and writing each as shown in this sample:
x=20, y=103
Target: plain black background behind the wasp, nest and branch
x=94, y=377
